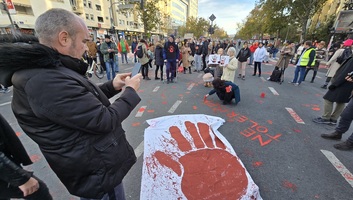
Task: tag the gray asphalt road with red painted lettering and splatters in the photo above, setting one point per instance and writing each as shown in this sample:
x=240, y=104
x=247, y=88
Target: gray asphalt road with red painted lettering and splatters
x=284, y=154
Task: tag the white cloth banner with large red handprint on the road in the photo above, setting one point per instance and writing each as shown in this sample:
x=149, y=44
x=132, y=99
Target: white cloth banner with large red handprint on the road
x=185, y=157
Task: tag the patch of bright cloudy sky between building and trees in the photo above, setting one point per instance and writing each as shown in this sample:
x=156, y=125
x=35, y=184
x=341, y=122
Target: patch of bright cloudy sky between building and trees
x=227, y=12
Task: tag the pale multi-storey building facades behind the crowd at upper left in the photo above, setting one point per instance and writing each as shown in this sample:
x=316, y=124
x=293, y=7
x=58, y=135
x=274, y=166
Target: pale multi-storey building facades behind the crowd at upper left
x=101, y=15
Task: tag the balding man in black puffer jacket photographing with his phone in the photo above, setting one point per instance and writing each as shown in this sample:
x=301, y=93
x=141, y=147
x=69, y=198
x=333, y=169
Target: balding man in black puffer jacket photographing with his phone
x=71, y=119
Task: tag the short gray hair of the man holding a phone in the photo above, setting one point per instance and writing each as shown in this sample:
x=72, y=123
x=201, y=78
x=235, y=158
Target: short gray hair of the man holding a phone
x=50, y=23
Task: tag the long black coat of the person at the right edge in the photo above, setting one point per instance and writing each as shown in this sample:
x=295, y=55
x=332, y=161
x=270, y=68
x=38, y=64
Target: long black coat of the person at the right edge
x=340, y=90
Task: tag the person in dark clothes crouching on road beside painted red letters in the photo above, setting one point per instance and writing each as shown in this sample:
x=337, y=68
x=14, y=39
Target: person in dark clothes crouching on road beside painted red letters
x=225, y=90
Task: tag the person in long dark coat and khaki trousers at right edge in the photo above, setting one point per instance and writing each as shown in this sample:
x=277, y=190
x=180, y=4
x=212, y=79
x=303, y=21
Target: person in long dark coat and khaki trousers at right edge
x=339, y=92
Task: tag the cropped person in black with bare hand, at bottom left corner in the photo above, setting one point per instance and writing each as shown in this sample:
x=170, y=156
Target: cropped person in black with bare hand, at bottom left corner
x=15, y=182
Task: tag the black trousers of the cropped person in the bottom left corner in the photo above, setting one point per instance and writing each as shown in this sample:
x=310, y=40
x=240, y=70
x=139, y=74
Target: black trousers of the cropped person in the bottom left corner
x=14, y=192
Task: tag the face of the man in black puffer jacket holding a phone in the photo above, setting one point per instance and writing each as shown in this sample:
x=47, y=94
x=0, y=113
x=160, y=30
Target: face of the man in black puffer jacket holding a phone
x=78, y=43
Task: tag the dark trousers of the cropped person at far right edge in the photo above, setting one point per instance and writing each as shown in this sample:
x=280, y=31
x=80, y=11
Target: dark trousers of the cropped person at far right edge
x=346, y=120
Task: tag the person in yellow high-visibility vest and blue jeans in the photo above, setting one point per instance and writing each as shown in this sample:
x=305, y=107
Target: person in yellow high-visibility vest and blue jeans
x=307, y=59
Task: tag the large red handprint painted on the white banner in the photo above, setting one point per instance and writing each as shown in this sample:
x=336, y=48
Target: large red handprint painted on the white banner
x=208, y=171
